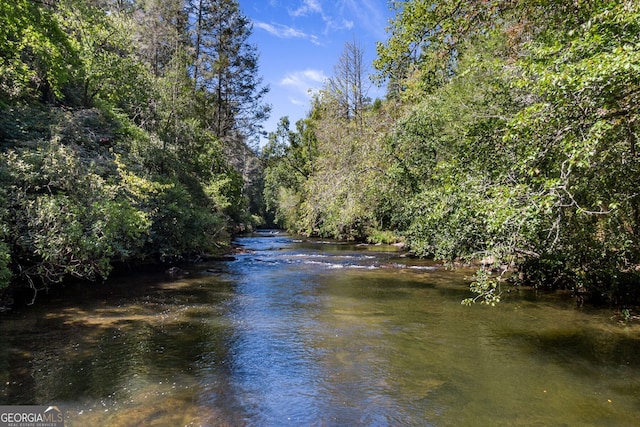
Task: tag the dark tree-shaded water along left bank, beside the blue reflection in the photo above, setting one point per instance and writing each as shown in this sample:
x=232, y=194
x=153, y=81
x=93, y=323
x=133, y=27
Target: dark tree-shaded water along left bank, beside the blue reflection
x=128, y=353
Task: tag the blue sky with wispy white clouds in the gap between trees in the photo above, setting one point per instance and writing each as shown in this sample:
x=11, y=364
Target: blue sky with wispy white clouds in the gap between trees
x=300, y=41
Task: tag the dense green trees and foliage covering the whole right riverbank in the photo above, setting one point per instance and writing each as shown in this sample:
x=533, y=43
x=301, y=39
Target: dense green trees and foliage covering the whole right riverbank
x=509, y=135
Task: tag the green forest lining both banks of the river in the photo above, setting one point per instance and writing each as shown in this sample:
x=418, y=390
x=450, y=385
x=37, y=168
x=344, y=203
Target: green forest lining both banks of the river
x=507, y=140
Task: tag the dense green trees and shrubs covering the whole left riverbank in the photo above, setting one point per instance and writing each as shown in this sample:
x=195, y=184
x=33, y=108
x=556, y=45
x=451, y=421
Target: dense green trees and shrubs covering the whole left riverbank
x=115, y=127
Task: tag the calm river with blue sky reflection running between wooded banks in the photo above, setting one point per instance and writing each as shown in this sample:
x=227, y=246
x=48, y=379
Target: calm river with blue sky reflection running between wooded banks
x=306, y=332
